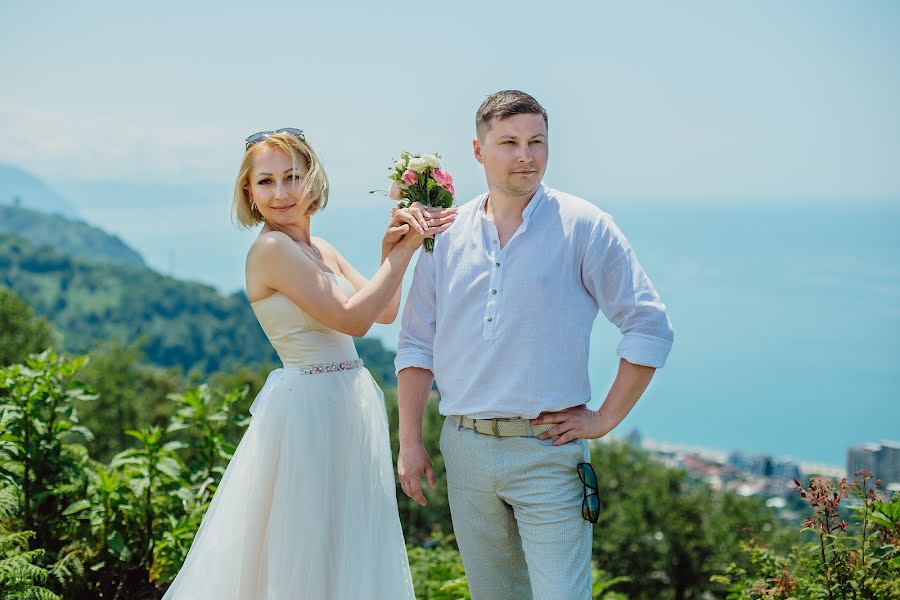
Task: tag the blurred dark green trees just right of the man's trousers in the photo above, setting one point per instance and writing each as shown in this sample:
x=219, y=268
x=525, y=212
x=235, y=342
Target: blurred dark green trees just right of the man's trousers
x=668, y=535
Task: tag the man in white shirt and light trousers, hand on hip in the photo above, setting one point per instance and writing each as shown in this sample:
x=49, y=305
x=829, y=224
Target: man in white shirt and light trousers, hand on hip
x=500, y=315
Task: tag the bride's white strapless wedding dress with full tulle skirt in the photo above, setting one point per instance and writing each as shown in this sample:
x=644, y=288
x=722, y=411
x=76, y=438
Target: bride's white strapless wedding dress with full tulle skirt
x=306, y=509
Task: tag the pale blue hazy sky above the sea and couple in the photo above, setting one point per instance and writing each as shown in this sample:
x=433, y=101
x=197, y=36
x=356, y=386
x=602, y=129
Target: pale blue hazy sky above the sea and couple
x=697, y=100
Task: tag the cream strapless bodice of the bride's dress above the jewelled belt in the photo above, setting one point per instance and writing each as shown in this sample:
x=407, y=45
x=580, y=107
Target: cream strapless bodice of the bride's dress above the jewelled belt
x=297, y=337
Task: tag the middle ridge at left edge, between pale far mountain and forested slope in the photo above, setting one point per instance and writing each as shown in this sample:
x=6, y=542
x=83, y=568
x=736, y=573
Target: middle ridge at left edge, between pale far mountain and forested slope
x=68, y=236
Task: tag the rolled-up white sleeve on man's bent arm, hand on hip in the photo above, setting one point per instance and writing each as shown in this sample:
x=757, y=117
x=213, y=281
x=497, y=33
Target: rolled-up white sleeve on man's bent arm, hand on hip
x=625, y=295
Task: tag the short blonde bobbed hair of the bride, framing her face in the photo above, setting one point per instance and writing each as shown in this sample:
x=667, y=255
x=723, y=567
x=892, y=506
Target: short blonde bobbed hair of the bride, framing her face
x=315, y=184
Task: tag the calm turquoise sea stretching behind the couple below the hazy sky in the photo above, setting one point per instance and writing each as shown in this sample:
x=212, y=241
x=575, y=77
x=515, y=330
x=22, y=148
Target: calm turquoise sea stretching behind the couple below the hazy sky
x=786, y=312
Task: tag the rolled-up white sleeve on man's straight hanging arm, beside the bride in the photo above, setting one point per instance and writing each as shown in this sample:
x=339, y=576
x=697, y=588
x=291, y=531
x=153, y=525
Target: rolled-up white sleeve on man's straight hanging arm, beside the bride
x=415, y=348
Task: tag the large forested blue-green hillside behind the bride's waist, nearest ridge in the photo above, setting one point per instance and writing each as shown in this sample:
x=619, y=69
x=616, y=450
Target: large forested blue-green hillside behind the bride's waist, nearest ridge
x=183, y=323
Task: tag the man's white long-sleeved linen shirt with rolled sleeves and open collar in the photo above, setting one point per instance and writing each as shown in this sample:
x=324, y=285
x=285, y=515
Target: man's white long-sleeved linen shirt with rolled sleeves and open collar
x=506, y=332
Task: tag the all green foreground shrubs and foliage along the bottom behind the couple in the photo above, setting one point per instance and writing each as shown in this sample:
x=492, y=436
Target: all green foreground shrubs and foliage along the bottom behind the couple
x=87, y=528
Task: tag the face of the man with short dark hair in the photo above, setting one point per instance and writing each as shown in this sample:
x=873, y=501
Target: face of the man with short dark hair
x=514, y=153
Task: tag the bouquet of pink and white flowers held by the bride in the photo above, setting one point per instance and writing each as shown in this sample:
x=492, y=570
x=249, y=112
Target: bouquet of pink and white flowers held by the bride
x=420, y=179
